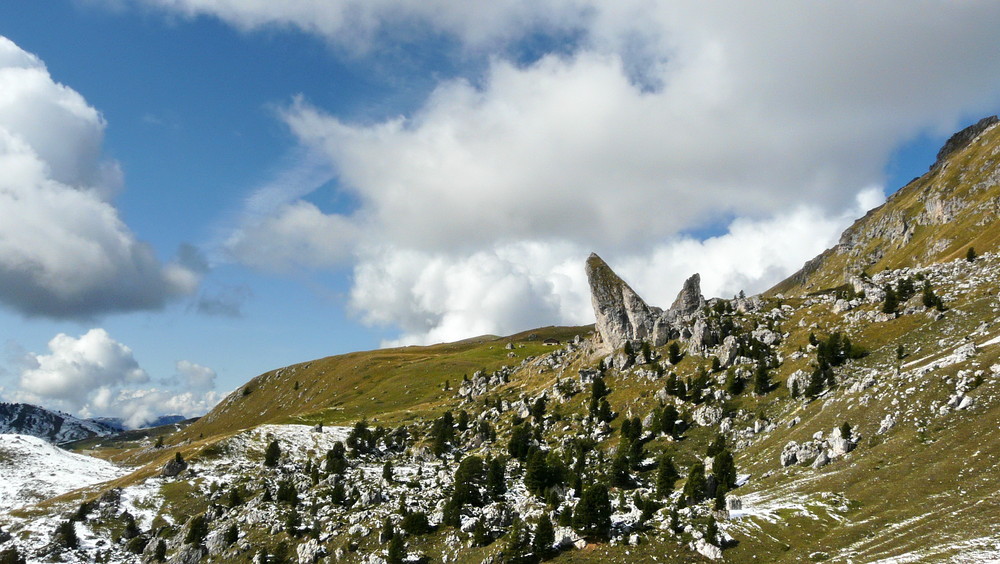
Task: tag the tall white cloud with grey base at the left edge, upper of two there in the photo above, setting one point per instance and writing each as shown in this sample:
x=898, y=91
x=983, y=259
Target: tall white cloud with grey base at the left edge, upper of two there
x=64, y=251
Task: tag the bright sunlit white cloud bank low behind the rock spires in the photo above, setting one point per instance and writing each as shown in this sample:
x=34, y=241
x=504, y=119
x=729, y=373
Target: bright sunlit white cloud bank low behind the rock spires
x=435, y=297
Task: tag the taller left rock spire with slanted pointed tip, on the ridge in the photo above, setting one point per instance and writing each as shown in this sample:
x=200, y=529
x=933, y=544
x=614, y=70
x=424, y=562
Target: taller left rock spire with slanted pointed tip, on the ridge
x=621, y=314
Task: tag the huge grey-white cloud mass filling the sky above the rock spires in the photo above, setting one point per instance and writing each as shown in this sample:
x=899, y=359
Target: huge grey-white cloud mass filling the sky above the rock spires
x=648, y=120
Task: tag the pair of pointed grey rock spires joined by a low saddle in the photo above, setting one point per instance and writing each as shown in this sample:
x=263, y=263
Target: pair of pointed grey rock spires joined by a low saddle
x=622, y=315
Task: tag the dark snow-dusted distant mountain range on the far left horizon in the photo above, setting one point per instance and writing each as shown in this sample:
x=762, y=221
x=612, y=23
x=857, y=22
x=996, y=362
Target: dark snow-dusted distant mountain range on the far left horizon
x=60, y=428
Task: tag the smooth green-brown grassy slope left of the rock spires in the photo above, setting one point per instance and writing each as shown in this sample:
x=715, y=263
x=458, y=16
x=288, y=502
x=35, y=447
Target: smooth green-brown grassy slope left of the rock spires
x=386, y=385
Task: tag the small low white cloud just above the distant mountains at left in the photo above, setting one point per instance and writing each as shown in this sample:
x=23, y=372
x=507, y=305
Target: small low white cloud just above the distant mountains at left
x=95, y=375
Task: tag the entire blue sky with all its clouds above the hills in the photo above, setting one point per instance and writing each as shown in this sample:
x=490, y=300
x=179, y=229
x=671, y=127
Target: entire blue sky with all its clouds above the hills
x=314, y=178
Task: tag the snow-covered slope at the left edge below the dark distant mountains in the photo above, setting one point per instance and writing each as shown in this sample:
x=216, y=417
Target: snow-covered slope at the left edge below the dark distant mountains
x=32, y=470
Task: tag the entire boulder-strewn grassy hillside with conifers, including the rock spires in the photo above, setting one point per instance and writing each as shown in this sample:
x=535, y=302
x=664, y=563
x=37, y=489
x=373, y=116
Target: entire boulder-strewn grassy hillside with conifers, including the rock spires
x=837, y=422
